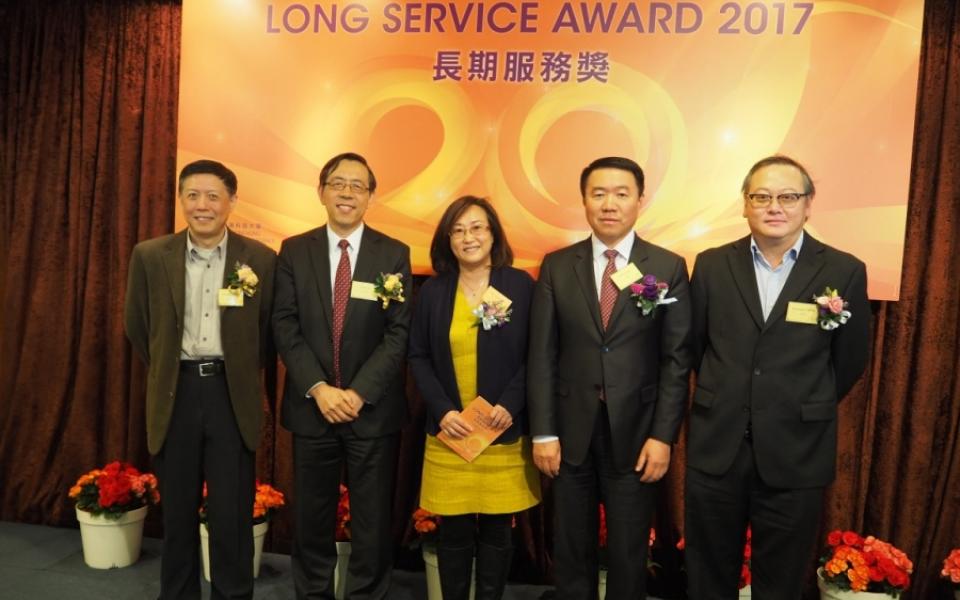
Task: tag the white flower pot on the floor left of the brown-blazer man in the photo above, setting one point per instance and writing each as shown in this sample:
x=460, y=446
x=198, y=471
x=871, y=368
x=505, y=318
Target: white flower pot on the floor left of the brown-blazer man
x=108, y=544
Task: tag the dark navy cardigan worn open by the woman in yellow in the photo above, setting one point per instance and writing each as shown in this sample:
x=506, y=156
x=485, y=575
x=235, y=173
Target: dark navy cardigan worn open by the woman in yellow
x=501, y=351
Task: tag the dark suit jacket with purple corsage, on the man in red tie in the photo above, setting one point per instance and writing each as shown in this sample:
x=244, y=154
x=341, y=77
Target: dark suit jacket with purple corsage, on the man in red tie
x=640, y=362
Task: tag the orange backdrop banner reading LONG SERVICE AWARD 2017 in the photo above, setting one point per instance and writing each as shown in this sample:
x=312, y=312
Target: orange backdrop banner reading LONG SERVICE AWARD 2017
x=510, y=100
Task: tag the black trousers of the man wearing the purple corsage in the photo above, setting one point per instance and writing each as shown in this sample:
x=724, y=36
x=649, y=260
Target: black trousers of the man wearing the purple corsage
x=629, y=508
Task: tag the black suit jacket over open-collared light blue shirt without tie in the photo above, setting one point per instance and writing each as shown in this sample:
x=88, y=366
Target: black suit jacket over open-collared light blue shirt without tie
x=784, y=378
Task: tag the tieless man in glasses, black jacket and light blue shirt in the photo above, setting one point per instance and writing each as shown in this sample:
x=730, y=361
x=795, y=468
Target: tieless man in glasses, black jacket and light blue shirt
x=772, y=363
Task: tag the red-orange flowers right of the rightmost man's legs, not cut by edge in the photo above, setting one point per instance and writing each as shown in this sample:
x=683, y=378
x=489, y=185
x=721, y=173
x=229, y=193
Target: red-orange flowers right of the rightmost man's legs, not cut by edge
x=864, y=564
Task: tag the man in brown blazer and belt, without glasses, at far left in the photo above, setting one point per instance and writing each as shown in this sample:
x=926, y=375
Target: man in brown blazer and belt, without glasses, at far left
x=197, y=311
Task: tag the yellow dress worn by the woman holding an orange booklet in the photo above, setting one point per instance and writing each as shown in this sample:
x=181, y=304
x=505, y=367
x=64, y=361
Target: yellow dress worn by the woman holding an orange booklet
x=503, y=479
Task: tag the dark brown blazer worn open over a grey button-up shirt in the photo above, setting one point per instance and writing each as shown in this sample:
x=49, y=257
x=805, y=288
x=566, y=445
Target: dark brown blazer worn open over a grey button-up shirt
x=153, y=317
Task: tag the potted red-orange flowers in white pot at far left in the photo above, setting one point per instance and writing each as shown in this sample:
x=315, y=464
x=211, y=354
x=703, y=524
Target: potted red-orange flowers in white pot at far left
x=111, y=506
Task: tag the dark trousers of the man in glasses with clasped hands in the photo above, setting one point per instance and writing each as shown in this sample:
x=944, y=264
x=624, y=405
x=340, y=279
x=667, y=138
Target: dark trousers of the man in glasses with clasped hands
x=371, y=467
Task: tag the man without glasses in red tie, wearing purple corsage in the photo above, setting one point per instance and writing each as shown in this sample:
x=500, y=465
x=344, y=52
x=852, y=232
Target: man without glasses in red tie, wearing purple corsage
x=607, y=382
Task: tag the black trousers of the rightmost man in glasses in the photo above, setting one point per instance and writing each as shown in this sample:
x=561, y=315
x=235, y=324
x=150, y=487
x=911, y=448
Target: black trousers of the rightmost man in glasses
x=783, y=527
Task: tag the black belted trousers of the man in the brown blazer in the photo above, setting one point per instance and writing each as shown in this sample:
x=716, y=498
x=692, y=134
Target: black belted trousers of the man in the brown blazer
x=203, y=442
